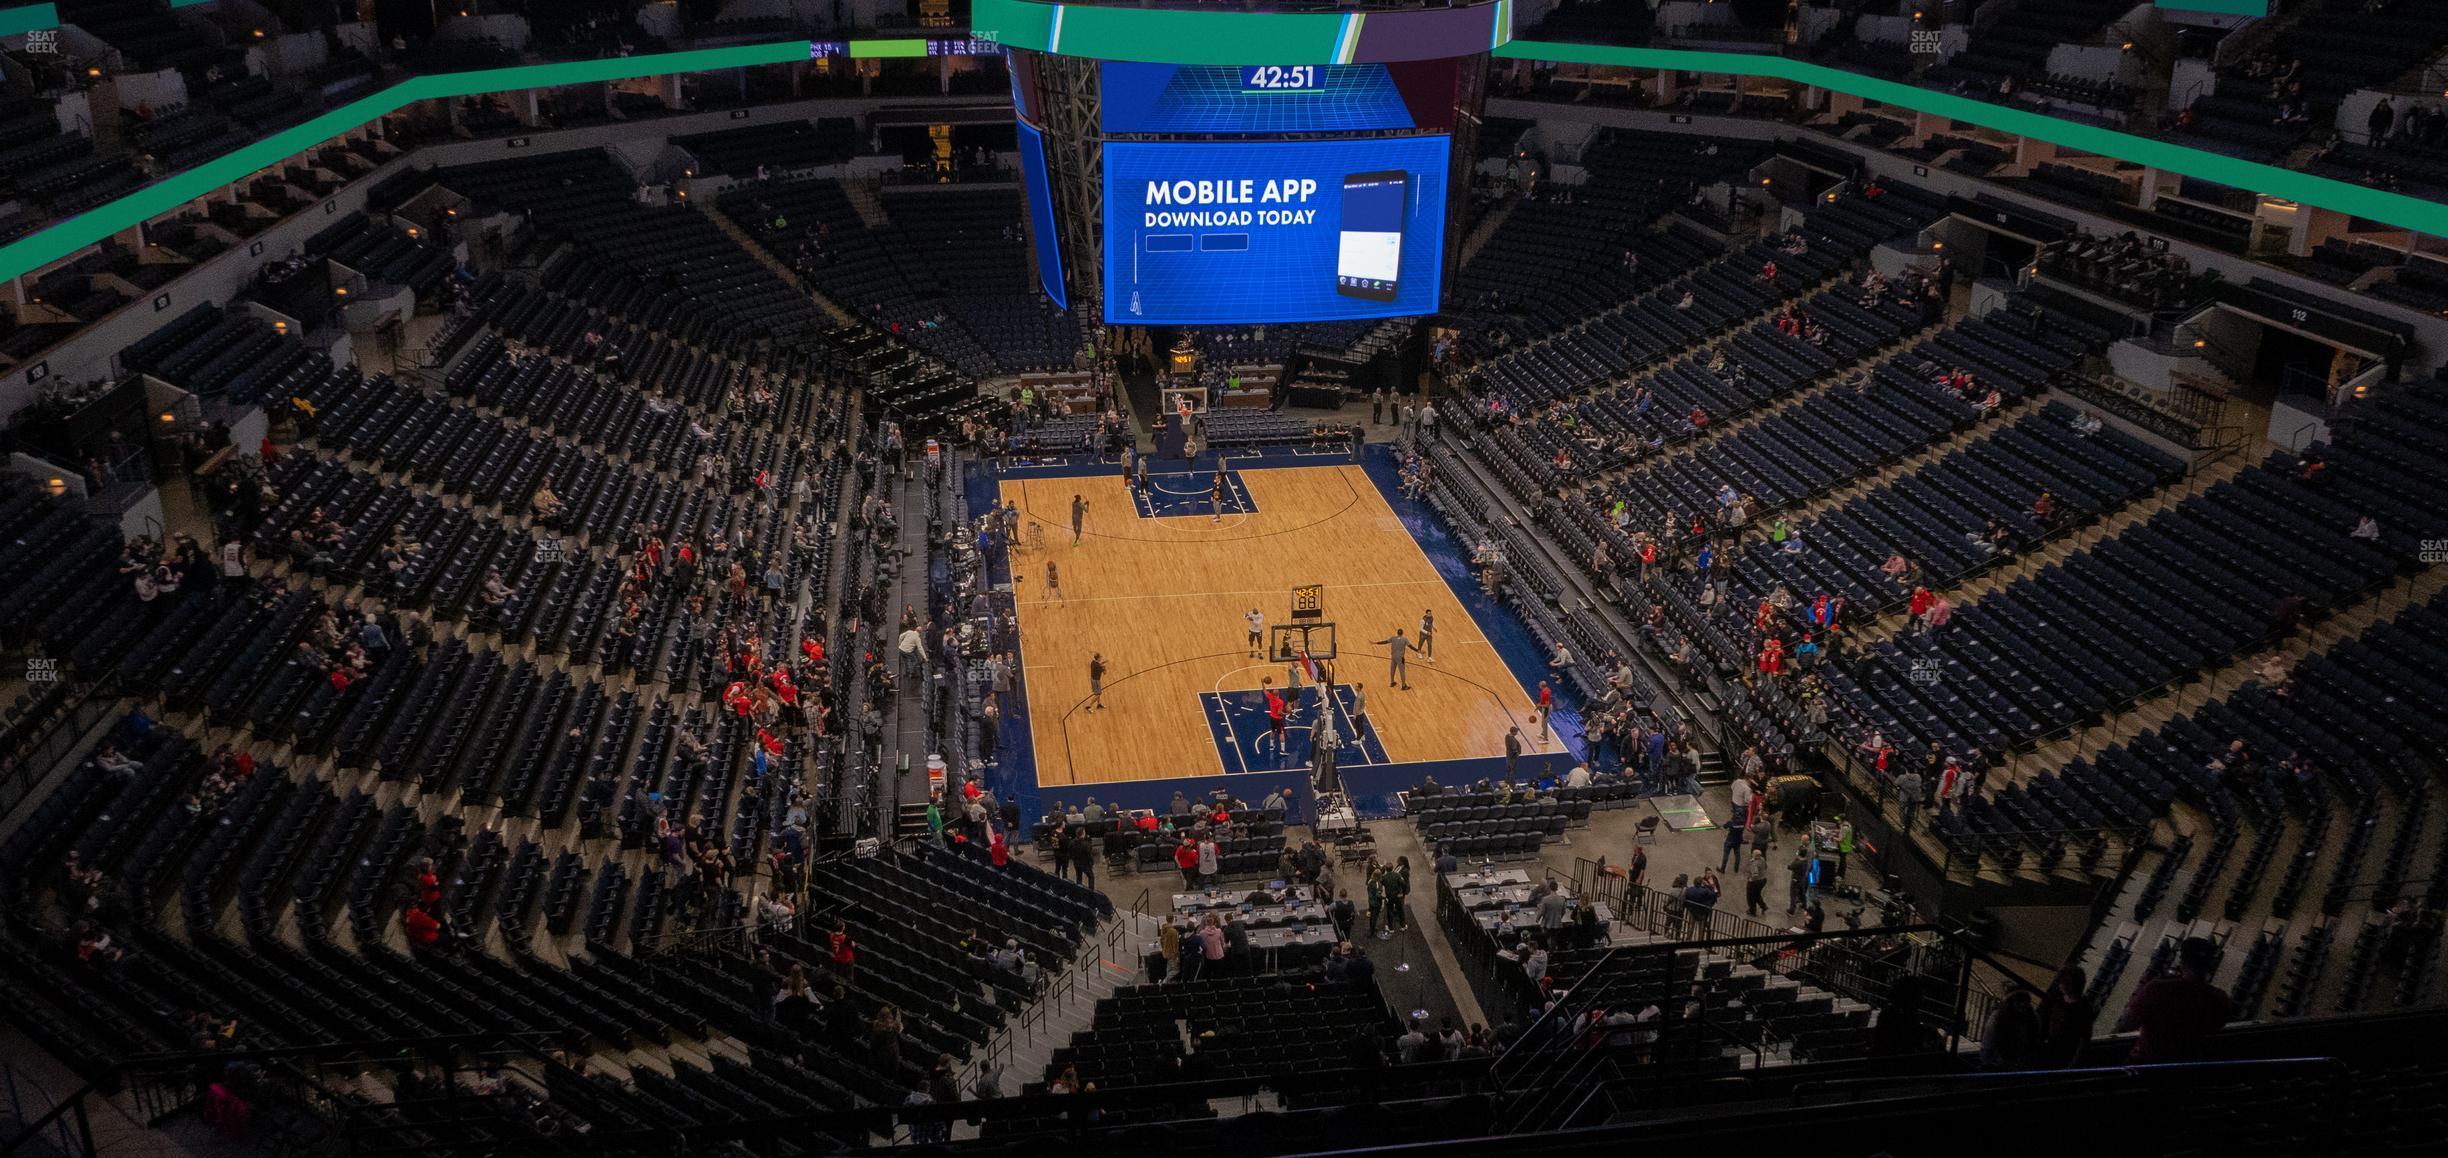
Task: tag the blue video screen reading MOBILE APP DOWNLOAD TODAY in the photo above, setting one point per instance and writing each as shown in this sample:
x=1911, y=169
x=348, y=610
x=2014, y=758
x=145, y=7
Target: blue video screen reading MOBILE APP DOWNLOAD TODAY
x=1211, y=234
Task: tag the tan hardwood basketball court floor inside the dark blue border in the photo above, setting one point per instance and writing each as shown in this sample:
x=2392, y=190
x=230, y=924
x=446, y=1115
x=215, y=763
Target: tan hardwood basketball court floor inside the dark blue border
x=1166, y=599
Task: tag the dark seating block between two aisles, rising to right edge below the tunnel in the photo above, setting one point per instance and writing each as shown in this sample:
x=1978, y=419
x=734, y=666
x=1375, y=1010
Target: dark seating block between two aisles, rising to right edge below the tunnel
x=2195, y=586
